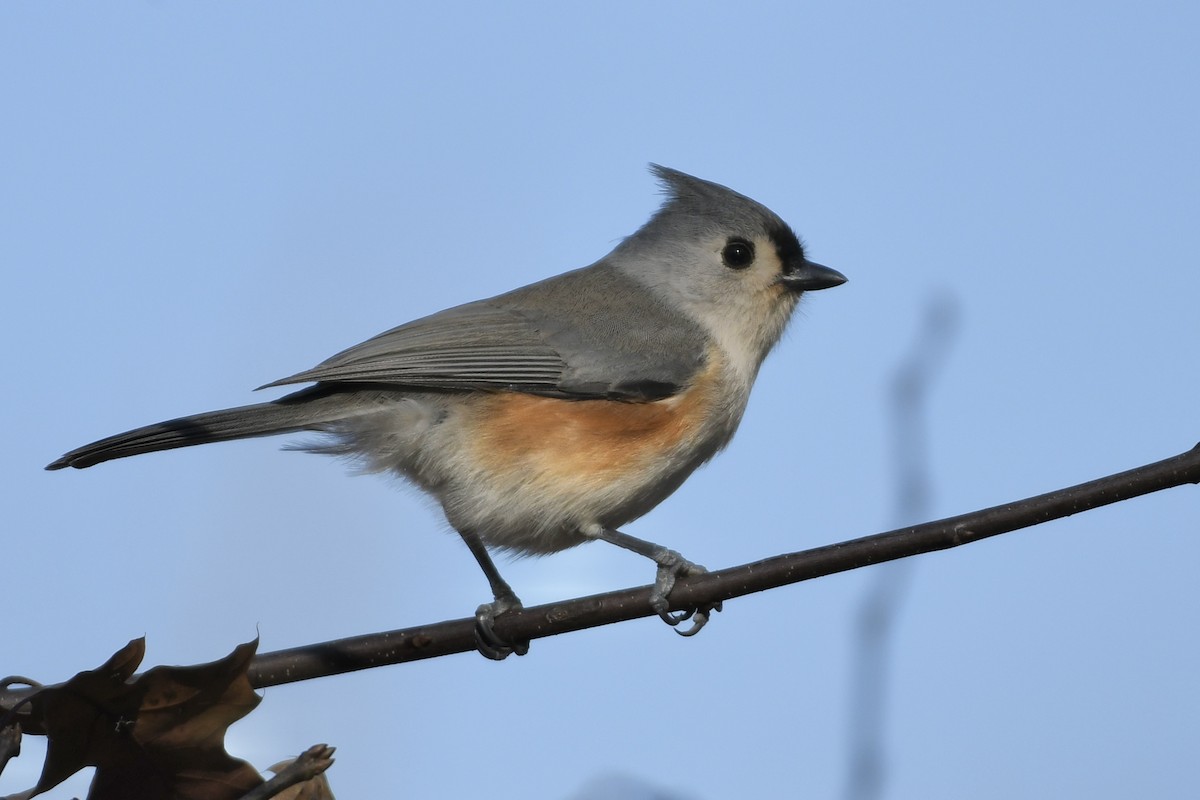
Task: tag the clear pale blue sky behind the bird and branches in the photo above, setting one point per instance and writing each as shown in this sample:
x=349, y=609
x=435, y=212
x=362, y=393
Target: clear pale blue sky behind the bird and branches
x=200, y=199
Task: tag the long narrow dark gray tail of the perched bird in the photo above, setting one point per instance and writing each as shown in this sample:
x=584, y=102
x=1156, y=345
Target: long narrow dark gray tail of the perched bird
x=299, y=412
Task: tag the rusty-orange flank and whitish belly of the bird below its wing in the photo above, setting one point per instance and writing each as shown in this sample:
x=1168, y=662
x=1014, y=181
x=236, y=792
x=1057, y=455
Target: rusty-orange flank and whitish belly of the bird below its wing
x=532, y=471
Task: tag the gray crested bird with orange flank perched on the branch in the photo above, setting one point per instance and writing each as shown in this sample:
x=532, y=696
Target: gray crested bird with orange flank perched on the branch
x=556, y=413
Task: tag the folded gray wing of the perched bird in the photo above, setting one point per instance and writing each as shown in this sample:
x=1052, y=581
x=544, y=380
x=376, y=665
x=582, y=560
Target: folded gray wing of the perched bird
x=592, y=333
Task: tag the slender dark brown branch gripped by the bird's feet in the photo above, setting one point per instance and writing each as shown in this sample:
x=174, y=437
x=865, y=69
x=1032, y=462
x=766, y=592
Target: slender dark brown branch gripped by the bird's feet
x=458, y=636
